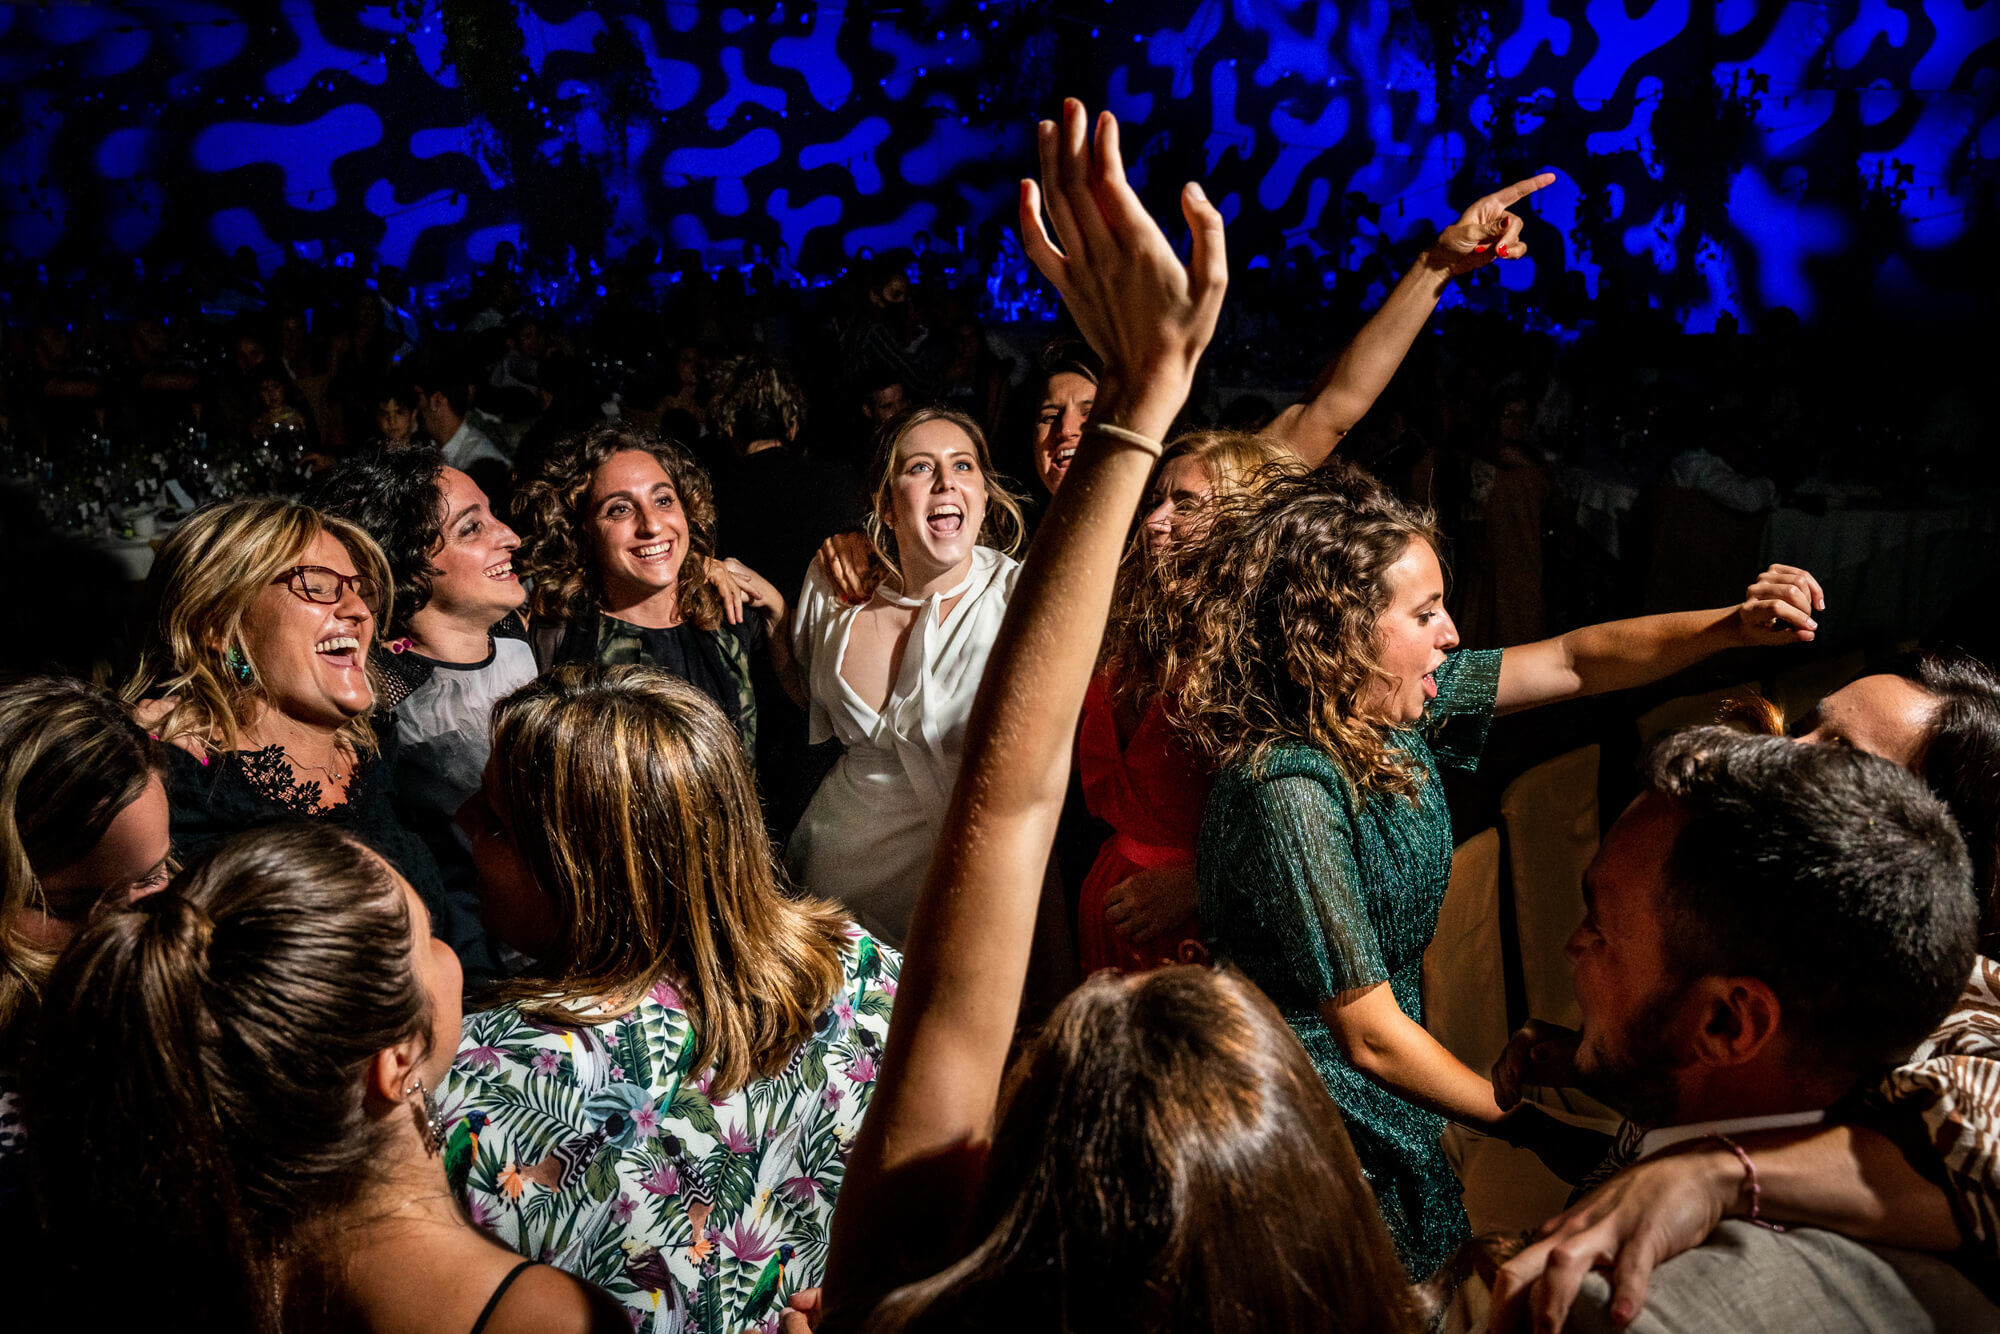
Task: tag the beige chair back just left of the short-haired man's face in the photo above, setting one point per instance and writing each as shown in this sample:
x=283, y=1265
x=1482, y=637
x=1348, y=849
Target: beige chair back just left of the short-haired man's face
x=1551, y=817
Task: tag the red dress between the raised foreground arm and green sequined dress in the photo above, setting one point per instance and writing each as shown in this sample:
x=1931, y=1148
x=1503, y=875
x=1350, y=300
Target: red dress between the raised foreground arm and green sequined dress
x=1151, y=791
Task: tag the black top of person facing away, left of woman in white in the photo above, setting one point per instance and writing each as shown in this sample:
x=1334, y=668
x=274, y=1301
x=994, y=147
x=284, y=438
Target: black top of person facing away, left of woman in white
x=775, y=509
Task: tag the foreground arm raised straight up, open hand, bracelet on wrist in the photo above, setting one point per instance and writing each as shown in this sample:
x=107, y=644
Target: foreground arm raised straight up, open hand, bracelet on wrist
x=921, y=1151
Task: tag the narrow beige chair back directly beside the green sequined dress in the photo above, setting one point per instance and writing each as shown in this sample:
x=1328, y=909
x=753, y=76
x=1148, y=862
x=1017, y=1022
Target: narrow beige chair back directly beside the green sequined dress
x=1465, y=973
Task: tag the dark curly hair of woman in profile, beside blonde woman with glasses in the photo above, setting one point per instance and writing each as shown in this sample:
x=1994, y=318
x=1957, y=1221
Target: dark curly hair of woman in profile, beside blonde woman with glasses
x=397, y=499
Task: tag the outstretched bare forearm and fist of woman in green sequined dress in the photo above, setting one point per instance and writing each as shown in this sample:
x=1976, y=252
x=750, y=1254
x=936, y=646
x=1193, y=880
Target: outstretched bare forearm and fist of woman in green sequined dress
x=1617, y=655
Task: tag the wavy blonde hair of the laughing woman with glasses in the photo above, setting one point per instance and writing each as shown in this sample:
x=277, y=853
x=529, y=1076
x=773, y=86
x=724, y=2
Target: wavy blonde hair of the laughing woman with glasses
x=203, y=585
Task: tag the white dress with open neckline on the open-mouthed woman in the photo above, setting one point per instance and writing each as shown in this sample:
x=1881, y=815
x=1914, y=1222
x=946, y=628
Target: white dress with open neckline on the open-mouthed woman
x=867, y=835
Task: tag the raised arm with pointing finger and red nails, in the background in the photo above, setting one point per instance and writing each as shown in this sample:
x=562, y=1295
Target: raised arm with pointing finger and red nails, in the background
x=1361, y=371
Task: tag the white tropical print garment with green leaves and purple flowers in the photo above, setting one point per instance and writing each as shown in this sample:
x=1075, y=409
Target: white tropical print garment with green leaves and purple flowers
x=599, y=1149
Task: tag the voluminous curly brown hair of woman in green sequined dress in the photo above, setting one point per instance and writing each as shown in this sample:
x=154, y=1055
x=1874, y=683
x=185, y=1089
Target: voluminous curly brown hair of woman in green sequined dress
x=1263, y=629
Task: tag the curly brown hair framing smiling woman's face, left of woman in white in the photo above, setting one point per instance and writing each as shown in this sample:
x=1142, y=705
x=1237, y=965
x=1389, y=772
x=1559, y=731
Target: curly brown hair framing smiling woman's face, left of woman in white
x=555, y=509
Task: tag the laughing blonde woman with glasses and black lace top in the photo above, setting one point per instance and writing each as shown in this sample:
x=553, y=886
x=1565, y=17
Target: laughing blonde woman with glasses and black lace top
x=255, y=671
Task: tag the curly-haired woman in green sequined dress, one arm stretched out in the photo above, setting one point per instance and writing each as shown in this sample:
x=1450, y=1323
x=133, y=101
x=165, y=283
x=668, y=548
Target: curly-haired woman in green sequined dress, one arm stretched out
x=1315, y=665
